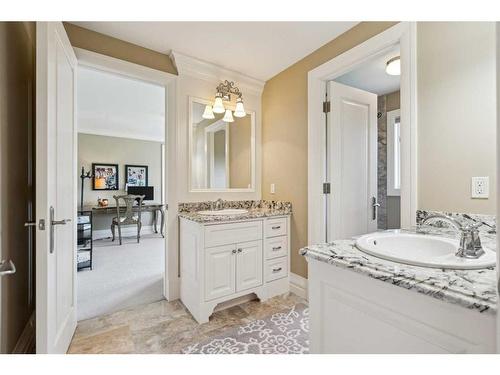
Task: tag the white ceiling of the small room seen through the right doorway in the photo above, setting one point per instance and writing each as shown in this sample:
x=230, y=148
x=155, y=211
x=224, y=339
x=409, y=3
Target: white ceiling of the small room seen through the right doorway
x=371, y=76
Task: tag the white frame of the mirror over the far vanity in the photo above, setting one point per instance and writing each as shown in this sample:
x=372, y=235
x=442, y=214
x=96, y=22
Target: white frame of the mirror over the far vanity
x=250, y=113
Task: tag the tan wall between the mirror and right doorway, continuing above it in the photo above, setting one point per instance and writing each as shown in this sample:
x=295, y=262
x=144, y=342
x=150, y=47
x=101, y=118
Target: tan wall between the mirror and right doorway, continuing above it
x=284, y=132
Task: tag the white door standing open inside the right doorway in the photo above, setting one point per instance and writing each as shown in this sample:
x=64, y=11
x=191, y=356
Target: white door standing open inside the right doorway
x=352, y=162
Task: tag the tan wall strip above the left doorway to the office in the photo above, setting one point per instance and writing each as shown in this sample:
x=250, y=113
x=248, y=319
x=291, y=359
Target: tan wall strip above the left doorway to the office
x=107, y=45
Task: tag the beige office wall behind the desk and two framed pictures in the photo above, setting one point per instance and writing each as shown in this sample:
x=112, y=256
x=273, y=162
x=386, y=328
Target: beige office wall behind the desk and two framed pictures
x=121, y=151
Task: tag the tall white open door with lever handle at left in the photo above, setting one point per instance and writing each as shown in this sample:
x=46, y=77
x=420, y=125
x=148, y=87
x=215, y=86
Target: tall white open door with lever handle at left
x=55, y=193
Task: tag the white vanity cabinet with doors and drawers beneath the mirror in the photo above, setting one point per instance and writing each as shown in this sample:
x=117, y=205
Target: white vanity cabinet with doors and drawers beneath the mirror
x=223, y=261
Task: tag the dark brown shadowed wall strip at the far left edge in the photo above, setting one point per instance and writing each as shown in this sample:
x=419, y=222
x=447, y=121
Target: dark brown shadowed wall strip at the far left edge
x=17, y=75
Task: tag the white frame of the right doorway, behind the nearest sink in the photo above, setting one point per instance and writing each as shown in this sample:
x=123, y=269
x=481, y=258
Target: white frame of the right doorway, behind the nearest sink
x=404, y=34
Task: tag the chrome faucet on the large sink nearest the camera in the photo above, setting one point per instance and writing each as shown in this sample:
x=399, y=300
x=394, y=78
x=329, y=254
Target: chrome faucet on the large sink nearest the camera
x=470, y=243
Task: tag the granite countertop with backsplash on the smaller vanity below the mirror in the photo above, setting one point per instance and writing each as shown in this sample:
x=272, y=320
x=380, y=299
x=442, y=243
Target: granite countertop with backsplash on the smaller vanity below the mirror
x=256, y=210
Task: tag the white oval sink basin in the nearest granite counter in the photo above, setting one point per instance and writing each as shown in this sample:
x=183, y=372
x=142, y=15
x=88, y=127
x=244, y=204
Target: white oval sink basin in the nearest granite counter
x=421, y=250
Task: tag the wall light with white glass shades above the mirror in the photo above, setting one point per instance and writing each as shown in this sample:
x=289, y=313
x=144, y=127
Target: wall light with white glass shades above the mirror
x=223, y=94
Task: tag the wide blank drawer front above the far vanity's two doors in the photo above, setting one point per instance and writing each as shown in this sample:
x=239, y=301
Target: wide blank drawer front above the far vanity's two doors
x=223, y=234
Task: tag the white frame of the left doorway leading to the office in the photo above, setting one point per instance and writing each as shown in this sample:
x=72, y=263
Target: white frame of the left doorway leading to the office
x=113, y=65
